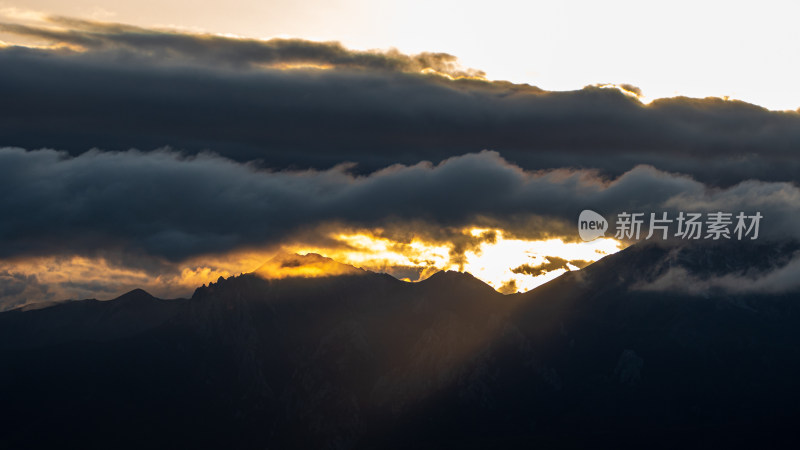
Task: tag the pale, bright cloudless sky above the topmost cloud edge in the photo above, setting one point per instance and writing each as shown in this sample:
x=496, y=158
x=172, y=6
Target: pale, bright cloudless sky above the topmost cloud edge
x=739, y=49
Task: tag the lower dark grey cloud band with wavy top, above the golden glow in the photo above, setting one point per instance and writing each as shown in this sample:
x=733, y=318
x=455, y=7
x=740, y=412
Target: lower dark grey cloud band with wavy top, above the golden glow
x=166, y=205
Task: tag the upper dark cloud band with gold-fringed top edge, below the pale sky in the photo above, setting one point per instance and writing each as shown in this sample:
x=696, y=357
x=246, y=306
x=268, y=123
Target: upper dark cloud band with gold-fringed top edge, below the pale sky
x=141, y=88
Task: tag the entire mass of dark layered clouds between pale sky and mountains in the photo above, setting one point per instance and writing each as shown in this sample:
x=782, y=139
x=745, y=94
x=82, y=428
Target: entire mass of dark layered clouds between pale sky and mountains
x=247, y=144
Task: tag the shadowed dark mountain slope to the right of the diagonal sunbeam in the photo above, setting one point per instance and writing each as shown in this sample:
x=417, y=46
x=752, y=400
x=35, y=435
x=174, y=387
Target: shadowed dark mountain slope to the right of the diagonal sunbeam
x=587, y=361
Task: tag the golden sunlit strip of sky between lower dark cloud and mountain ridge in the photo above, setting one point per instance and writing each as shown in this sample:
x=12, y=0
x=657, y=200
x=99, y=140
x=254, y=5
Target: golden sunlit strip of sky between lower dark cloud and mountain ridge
x=508, y=264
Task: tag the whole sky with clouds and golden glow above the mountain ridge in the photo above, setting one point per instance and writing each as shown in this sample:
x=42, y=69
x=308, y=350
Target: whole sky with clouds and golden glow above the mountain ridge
x=164, y=146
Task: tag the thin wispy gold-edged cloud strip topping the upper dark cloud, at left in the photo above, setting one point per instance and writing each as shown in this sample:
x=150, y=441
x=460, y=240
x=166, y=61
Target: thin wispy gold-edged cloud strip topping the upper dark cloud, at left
x=182, y=47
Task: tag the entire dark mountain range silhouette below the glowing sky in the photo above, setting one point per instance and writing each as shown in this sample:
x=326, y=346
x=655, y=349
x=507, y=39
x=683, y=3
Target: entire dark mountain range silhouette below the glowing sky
x=605, y=357
